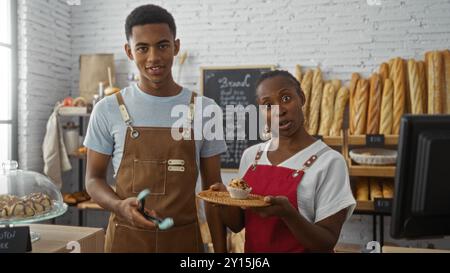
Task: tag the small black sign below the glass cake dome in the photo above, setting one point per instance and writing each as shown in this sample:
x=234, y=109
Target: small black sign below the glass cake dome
x=15, y=240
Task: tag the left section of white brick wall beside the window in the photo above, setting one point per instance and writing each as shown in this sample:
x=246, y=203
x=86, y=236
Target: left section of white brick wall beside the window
x=44, y=71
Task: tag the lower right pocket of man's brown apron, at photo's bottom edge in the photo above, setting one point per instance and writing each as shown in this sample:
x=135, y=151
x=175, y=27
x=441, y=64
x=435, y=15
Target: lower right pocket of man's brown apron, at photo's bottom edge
x=181, y=239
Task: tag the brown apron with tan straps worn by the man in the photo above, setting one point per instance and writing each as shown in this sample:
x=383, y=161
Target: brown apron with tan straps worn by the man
x=153, y=160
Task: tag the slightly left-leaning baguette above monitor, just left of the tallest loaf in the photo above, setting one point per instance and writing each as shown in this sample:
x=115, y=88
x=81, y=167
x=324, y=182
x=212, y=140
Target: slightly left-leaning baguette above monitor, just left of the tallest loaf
x=415, y=88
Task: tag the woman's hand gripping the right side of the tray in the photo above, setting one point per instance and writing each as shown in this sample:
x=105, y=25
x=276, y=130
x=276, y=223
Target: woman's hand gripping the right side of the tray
x=279, y=207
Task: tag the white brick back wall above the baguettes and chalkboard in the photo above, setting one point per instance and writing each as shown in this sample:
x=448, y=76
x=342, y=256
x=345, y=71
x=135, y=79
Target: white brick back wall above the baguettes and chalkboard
x=341, y=36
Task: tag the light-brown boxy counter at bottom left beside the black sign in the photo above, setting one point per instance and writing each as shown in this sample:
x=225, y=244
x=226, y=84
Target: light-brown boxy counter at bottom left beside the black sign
x=59, y=239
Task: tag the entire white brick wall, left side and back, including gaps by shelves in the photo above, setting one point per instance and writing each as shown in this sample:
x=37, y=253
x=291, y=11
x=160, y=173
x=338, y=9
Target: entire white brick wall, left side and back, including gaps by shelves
x=341, y=36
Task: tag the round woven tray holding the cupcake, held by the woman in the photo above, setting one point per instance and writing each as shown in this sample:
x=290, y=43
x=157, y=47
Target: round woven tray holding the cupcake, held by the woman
x=224, y=198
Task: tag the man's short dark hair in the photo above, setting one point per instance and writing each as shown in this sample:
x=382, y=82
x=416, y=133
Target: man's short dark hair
x=149, y=14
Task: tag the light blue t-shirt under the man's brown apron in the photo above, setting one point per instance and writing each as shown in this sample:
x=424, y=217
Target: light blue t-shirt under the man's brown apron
x=106, y=131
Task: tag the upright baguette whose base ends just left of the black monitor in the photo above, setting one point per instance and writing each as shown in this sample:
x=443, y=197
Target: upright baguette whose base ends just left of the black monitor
x=387, y=106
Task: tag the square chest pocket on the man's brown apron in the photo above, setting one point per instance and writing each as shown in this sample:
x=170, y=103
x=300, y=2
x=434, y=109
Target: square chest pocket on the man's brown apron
x=149, y=174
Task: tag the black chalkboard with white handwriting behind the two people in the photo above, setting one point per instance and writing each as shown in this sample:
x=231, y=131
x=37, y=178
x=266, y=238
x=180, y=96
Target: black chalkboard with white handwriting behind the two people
x=233, y=86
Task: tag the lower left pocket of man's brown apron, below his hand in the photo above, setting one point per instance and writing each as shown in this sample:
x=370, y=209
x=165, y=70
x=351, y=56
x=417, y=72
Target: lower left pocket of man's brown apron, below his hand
x=126, y=239
